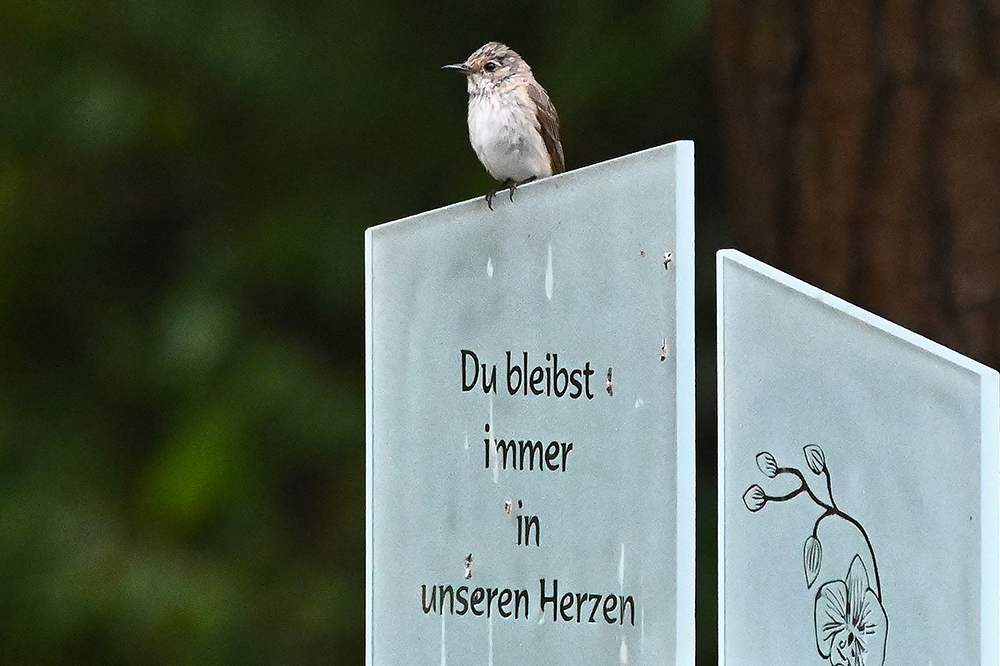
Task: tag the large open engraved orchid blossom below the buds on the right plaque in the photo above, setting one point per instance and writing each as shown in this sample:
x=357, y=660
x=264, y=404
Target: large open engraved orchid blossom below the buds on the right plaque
x=850, y=620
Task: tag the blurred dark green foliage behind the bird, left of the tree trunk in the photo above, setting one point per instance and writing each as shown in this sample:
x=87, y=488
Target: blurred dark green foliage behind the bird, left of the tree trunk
x=183, y=190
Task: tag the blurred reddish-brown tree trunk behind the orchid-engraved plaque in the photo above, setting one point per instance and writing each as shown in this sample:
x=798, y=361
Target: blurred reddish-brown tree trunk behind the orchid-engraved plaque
x=864, y=153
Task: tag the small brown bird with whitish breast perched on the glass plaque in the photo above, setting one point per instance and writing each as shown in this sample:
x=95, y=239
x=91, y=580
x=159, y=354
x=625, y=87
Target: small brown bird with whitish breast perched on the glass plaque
x=513, y=125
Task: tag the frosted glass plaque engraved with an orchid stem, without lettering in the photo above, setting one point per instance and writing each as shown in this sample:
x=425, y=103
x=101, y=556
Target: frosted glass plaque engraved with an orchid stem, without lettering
x=858, y=484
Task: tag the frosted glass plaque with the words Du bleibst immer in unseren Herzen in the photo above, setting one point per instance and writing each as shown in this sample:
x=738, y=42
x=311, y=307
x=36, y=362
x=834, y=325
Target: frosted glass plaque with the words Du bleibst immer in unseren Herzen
x=530, y=405
